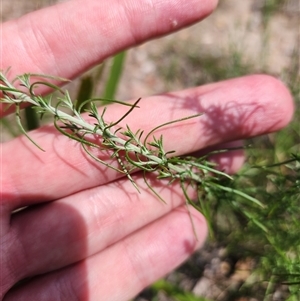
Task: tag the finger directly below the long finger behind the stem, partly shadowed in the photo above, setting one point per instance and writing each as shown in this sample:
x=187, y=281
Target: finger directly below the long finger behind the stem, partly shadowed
x=49, y=237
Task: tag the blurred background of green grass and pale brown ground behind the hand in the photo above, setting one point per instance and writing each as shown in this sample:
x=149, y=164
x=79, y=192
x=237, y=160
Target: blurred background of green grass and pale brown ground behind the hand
x=240, y=261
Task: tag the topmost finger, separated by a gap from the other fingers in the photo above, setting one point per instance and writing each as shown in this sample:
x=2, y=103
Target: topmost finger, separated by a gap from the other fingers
x=84, y=33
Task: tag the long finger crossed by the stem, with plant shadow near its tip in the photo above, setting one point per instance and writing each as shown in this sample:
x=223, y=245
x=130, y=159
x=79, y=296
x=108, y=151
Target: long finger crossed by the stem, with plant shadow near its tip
x=234, y=109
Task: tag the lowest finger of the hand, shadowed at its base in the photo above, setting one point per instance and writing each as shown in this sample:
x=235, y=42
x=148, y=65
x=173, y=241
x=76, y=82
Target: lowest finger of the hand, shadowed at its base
x=124, y=269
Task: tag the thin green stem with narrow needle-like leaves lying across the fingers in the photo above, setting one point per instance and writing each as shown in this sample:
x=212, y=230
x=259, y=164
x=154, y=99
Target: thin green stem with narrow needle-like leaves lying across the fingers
x=132, y=150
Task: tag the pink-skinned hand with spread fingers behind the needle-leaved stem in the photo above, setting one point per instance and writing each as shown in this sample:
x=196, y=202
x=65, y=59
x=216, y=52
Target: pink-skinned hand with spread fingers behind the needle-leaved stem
x=86, y=233
